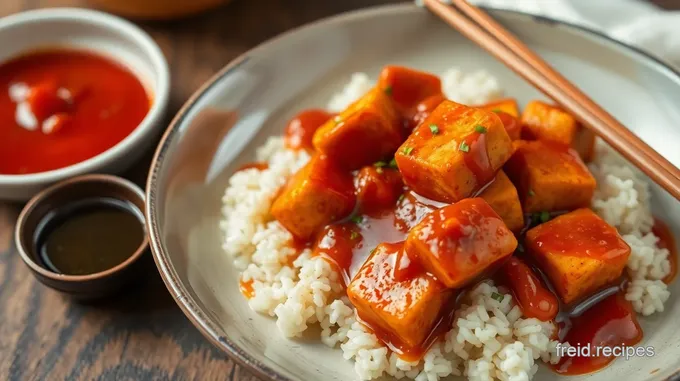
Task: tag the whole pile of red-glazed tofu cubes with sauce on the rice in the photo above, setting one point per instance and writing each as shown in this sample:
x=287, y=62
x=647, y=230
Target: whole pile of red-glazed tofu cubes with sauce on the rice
x=415, y=198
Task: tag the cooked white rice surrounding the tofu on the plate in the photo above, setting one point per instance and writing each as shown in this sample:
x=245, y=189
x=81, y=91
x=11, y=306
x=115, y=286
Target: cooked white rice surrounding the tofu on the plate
x=489, y=339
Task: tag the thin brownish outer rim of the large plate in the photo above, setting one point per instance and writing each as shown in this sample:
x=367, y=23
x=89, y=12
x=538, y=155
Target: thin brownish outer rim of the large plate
x=177, y=290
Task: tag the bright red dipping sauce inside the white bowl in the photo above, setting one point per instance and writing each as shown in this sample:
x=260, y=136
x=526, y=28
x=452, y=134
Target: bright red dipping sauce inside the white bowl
x=59, y=107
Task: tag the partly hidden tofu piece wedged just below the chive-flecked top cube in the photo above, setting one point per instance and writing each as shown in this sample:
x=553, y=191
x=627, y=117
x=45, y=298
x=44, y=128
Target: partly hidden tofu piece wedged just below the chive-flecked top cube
x=502, y=196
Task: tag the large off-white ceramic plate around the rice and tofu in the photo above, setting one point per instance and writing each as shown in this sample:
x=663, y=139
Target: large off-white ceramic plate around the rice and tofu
x=252, y=98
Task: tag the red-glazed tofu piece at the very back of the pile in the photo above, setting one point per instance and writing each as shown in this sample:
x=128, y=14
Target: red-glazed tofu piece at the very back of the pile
x=407, y=87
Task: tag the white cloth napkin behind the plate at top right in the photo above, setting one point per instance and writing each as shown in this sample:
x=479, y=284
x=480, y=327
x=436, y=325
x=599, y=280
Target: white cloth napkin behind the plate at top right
x=632, y=21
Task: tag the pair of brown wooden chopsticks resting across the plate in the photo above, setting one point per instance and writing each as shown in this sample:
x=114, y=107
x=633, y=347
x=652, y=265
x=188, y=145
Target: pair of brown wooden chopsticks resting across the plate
x=480, y=28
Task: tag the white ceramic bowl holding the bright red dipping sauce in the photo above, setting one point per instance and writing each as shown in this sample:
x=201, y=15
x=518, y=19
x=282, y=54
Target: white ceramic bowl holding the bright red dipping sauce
x=104, y=34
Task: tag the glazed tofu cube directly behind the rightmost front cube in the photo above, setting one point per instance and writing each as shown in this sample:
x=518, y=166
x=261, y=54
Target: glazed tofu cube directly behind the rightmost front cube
x=549, y=177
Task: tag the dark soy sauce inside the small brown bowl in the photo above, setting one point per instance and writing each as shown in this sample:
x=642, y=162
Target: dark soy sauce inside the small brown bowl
x=89, y=236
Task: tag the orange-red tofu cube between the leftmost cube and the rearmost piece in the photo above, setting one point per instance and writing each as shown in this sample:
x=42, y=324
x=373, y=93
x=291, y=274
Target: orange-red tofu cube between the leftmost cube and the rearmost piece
x=367, y=131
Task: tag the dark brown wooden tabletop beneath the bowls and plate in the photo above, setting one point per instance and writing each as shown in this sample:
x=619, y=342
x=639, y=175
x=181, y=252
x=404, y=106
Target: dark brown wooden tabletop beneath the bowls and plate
x=140, y=335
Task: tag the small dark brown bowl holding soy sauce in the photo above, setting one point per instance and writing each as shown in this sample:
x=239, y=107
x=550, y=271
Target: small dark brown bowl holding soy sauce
x=85, y=287
